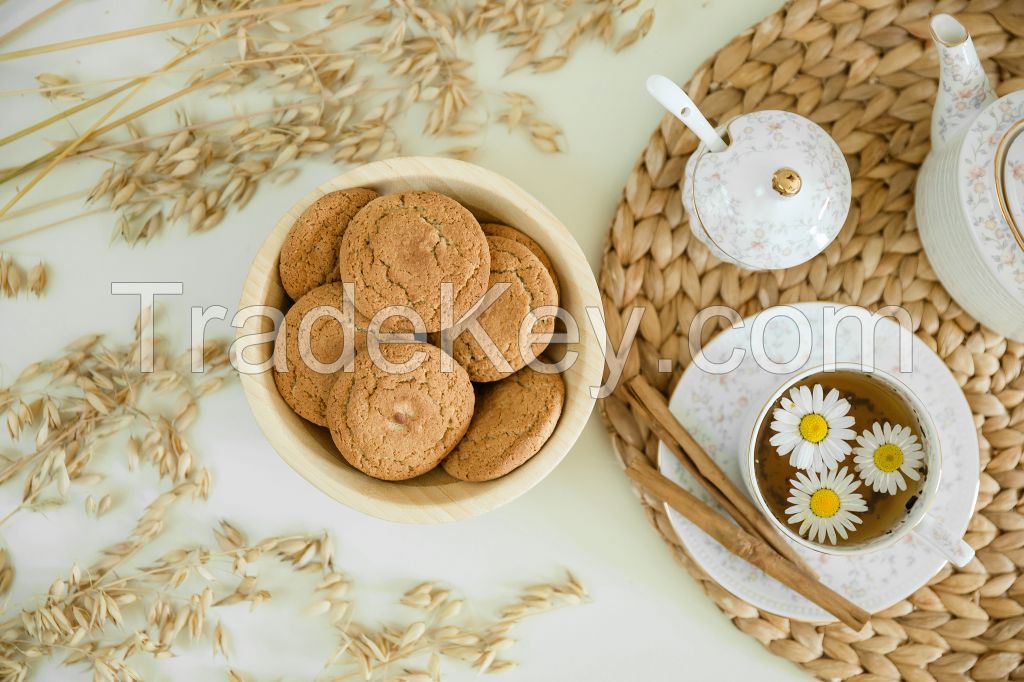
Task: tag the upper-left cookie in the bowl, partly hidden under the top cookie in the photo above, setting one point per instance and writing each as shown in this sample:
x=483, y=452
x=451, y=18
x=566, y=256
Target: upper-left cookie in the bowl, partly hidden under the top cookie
x=310, y=254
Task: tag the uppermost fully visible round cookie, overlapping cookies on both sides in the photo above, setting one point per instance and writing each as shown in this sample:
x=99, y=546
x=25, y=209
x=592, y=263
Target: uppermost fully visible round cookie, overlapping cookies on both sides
x=399, y=249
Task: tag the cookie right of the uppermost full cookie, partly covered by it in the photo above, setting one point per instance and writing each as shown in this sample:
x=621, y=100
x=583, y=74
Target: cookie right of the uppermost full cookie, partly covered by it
x=531, y=288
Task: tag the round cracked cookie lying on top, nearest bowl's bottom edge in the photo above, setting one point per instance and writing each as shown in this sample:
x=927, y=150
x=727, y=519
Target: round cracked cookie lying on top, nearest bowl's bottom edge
x=398, y=427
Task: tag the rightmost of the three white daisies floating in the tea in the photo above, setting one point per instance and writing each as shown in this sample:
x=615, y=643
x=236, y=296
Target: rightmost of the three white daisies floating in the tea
x=887, y=454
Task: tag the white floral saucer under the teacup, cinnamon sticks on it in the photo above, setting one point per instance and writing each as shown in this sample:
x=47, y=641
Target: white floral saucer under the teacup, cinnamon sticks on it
x=712, y=407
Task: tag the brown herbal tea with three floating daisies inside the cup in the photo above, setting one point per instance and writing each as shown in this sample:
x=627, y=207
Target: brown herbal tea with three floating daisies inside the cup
x=840, y=458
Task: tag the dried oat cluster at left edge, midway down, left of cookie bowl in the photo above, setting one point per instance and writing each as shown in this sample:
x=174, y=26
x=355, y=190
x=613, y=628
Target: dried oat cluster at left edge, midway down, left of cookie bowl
x=66, y=408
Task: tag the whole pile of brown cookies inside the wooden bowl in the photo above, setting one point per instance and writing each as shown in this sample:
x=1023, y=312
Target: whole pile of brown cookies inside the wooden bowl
x=397, y=405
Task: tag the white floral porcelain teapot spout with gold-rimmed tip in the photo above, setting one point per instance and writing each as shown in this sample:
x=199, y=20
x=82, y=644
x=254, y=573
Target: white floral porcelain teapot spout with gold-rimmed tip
x=964, y=87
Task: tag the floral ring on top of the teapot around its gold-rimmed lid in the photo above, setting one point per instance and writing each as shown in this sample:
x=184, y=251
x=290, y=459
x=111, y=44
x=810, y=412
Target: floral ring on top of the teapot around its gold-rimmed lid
x=979, y=196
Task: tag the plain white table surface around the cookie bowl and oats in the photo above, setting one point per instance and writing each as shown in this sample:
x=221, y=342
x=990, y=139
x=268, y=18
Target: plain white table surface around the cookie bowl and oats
x=648, y=620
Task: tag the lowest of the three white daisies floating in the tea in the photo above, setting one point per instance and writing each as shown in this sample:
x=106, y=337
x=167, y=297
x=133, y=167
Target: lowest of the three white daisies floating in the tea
x=825, y=504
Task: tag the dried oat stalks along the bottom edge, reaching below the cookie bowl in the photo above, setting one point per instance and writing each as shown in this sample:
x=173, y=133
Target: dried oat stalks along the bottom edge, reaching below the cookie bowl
x=102, y=618
